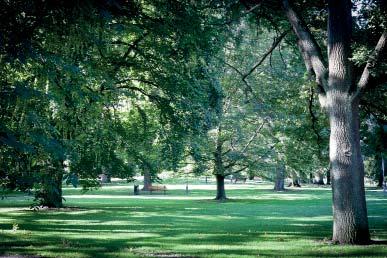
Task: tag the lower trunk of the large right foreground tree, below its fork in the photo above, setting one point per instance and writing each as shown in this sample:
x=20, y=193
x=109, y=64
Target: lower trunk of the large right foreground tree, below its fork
x=350, y=222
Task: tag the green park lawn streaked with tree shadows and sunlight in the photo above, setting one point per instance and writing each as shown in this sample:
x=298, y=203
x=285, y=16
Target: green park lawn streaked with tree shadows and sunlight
x=111, y=222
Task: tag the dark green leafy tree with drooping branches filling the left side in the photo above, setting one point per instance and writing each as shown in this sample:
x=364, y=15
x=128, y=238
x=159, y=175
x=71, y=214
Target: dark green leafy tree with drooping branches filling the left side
x=73, y=62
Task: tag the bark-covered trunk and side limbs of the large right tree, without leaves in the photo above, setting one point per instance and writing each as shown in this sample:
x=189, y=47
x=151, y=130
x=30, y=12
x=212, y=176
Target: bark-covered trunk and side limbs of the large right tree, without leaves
x=341, y=99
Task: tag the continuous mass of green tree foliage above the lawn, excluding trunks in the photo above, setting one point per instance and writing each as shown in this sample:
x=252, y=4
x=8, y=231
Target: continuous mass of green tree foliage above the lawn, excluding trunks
x=117, y=87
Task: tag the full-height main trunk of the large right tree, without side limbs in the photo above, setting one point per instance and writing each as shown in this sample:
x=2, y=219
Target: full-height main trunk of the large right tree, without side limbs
x=350, y=221
